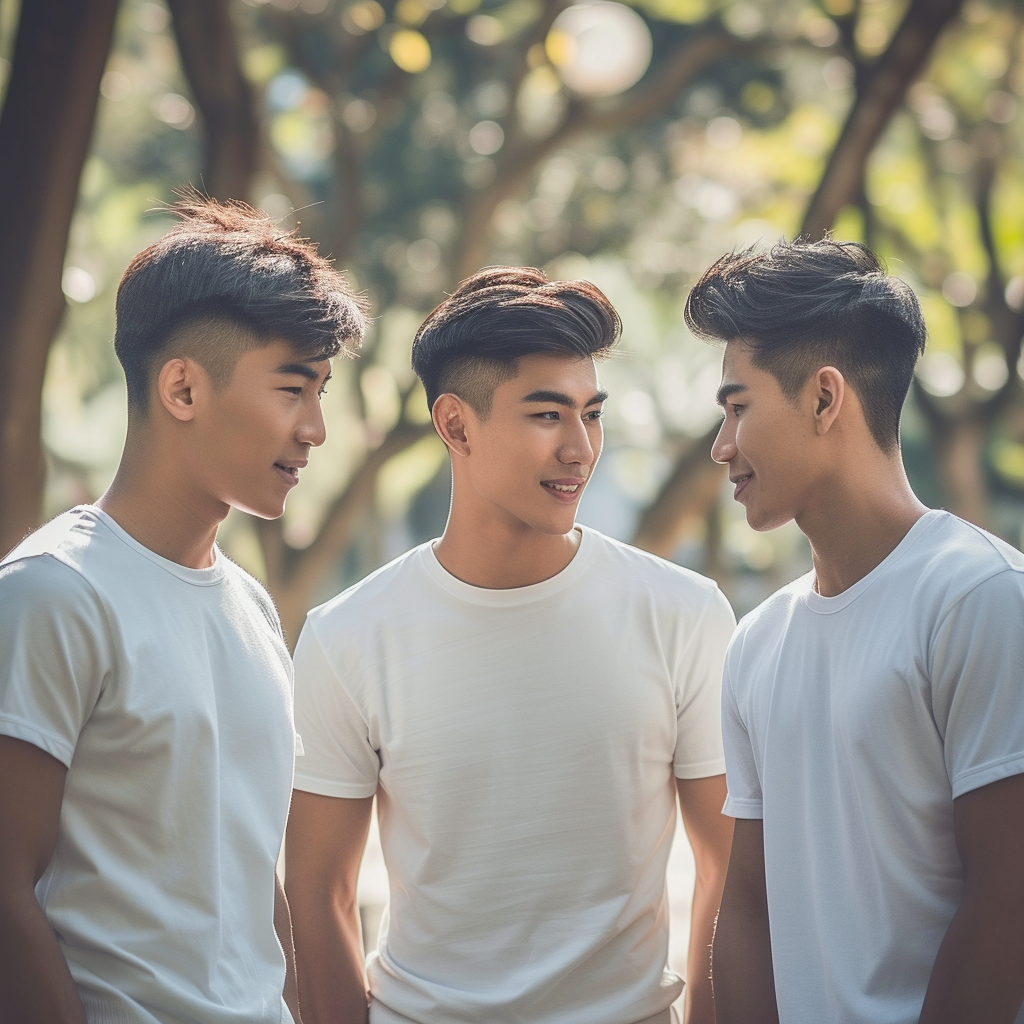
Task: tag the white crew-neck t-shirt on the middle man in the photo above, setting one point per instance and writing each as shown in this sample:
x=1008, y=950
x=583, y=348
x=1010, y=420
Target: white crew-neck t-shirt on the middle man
x=523, y=745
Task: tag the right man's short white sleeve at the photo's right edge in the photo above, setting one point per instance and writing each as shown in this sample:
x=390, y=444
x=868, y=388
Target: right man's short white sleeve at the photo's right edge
x=977, y=673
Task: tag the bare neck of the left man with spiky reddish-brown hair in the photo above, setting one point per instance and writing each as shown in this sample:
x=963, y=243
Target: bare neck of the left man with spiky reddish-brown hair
x=154, y=500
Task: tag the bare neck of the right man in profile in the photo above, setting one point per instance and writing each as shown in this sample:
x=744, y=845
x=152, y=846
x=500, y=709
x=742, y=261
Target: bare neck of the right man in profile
x=861, y=522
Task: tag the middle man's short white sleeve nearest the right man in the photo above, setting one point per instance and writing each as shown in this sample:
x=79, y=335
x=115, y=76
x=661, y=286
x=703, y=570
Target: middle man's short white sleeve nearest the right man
x=699, y=689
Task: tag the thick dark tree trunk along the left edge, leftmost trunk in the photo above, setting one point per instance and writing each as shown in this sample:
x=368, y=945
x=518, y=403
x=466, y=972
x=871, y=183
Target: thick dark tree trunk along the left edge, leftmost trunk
x=60, y=55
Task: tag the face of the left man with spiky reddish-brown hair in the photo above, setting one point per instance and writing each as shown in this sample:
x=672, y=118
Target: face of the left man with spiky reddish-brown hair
x=254, y=436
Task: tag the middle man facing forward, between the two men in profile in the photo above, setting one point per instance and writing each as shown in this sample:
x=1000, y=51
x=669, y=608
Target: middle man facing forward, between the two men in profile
x=527, y=699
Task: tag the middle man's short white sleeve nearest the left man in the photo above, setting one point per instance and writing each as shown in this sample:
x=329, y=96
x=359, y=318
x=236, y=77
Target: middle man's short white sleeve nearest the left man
x=338, y=759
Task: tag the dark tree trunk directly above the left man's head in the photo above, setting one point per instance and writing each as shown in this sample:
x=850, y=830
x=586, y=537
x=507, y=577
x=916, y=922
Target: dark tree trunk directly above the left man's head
x=210, y=60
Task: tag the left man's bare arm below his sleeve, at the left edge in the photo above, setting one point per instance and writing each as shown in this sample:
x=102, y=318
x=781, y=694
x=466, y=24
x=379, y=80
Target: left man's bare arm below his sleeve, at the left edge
x=36, y=987
